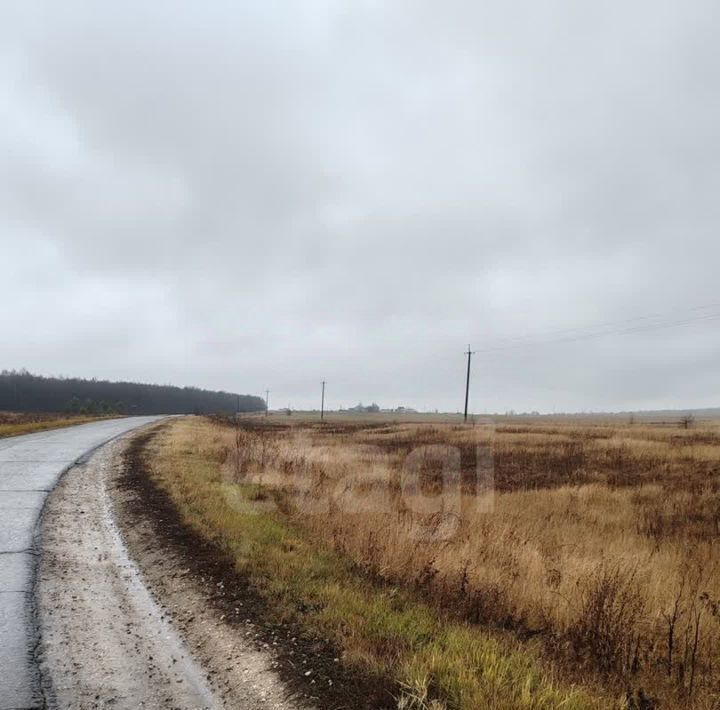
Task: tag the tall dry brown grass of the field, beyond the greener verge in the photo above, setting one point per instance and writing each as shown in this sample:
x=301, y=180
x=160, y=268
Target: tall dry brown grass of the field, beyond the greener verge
x=602, y=540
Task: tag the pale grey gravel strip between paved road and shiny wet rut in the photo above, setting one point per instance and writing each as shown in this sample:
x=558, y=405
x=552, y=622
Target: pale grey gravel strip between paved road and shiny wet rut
x=103, y=639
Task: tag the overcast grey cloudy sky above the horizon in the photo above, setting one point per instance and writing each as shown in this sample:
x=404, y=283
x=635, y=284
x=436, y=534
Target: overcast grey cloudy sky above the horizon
x=242, y=195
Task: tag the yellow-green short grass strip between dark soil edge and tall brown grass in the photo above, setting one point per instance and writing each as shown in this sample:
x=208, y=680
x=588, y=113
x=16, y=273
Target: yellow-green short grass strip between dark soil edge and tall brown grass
x=431, y=660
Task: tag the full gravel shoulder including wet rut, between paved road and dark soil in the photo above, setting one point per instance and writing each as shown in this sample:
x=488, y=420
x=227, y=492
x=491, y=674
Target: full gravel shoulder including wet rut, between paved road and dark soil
x=133, y=629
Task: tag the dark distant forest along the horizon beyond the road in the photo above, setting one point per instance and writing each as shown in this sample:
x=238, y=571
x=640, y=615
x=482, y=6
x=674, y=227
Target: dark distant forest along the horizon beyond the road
x=24, y=392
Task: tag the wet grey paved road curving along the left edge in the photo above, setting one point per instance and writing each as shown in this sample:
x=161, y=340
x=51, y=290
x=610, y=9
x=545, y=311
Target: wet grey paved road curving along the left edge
x=30, y=466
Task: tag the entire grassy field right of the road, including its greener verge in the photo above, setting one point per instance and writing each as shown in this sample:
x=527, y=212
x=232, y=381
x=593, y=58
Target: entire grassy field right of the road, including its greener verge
x=497, y=565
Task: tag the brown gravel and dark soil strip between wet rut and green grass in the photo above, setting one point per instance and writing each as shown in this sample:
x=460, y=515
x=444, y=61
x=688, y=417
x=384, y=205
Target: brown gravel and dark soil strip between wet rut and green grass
x=218, y=612
